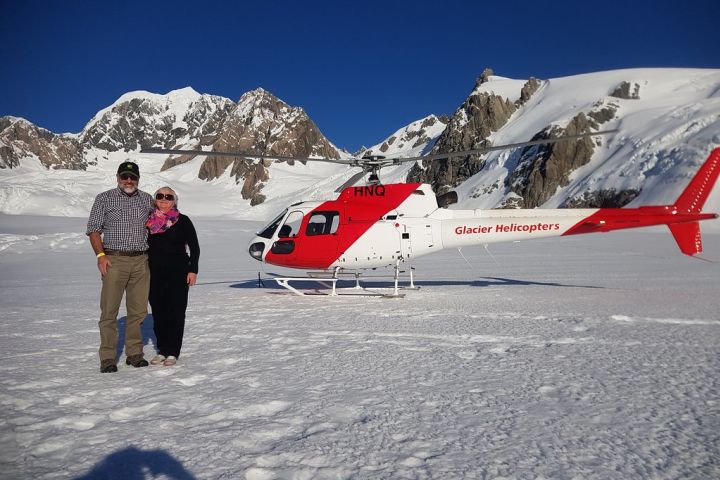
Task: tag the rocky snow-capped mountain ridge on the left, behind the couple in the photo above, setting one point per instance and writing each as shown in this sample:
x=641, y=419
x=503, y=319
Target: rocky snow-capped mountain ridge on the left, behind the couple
x=258, y=122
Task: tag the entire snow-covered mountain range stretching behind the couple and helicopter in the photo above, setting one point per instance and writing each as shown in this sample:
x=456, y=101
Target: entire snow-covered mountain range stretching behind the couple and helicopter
x=668, y=120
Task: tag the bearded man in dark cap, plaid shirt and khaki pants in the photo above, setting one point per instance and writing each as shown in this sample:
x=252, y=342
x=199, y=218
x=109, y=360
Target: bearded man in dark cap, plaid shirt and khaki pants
x=119, y=238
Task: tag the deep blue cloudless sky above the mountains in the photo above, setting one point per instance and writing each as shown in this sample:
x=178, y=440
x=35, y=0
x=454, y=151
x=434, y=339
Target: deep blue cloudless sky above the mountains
x=361, y=70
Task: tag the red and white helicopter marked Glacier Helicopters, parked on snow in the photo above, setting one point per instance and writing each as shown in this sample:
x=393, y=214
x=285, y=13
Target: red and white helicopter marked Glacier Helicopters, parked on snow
x=378, y=225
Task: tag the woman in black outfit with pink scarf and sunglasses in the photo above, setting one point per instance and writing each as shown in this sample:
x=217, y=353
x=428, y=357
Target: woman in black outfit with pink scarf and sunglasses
x=172, y=272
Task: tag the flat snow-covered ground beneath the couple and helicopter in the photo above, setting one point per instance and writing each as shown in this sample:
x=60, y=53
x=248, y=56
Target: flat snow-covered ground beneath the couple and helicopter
x=592, y=357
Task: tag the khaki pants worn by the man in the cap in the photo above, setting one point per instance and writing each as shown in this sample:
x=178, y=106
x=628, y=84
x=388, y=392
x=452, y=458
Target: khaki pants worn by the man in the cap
x=129, y=276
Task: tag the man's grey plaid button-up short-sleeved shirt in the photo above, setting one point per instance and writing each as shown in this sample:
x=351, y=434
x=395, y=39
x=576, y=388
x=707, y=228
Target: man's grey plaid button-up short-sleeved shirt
x=121, y=219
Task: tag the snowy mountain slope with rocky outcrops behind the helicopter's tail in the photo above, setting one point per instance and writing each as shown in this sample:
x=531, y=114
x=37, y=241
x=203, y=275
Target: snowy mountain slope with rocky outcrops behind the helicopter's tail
x=668, y=120
